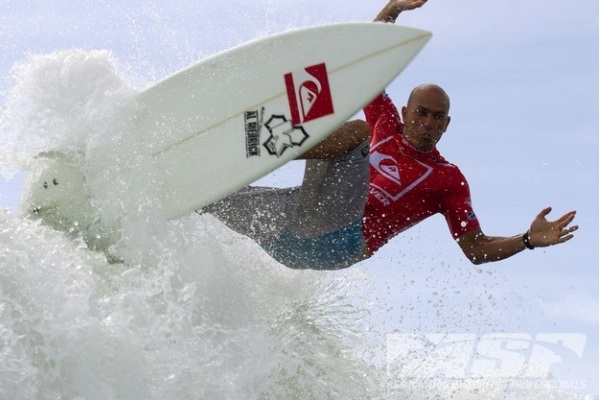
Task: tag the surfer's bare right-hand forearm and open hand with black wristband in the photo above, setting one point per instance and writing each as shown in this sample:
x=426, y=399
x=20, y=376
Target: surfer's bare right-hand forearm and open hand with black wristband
x=480, y=248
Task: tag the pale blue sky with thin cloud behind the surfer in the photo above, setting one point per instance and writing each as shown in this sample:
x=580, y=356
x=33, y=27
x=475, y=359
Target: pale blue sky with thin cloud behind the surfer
x=523, y=80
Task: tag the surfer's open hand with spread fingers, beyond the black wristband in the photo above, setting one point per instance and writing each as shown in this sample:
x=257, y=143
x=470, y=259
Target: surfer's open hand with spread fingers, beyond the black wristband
x=543, y=233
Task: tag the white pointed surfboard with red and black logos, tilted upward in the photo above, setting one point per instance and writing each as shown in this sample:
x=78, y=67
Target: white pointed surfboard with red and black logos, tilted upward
x=230, y=119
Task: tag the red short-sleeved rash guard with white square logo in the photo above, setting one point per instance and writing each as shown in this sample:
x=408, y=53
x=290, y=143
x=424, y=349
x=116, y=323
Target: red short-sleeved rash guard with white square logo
x=406, y=185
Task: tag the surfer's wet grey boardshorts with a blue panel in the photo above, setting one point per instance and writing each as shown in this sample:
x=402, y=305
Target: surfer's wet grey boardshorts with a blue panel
x=317, y=225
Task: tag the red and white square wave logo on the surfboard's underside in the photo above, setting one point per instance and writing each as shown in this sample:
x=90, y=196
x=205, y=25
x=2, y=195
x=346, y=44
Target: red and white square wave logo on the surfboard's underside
x=309, y=94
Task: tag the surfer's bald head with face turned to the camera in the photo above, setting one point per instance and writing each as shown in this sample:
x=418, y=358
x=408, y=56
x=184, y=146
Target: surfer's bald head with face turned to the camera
x=425, y=116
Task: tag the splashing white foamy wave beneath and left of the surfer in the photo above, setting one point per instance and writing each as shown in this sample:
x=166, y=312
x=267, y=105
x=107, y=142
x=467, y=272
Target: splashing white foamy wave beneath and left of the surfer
x=184, y=309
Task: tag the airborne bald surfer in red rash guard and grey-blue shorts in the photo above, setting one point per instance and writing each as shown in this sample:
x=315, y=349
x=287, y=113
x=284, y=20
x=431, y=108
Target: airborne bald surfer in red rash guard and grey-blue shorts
x=371, y=180
